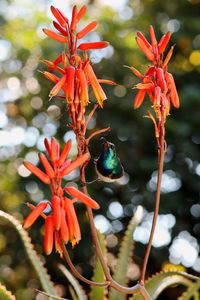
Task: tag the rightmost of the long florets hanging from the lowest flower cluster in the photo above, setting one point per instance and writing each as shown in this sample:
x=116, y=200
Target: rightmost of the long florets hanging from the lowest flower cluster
x=72, y=221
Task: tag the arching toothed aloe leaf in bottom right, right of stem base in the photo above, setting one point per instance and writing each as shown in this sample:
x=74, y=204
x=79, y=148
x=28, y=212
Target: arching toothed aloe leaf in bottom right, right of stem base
x=161, y=281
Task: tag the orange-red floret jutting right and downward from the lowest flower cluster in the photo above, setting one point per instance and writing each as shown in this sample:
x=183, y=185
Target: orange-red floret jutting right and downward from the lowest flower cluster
x=72, y=191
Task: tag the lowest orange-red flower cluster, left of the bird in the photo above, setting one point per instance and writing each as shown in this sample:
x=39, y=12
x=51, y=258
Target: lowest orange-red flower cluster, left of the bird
x=62, y=223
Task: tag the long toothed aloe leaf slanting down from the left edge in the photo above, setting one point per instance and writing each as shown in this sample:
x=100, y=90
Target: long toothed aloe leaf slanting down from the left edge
x=38, y=265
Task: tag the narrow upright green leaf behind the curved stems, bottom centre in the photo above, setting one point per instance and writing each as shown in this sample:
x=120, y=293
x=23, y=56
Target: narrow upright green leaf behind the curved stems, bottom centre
x=99, y=293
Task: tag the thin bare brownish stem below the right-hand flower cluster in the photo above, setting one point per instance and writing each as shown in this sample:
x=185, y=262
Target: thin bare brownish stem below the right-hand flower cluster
x=161, y=156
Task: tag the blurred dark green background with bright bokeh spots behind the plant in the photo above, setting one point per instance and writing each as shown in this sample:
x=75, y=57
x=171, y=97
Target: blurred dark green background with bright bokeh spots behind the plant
x=27, y=116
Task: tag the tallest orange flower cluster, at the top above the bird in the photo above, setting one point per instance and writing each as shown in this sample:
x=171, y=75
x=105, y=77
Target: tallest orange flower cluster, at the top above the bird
x=77, y=73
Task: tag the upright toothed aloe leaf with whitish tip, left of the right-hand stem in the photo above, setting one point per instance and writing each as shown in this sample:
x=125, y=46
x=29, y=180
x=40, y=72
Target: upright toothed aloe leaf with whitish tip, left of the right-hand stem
x=125, y=255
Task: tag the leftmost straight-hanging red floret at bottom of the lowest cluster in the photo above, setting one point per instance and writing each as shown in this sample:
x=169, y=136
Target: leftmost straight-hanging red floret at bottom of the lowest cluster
x=48, y=235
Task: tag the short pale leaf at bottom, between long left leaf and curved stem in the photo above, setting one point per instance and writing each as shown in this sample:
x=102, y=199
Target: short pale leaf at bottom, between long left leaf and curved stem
x=74, y=282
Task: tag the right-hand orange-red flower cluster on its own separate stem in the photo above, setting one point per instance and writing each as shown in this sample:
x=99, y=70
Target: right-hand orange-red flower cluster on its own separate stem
x=157, y=83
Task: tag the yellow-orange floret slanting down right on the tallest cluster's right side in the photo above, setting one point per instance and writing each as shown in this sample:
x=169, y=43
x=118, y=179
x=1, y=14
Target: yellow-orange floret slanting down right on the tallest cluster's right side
x=96, y=87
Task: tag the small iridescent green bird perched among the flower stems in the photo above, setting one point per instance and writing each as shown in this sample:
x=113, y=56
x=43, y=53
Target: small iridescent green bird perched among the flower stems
x=108, y=165
